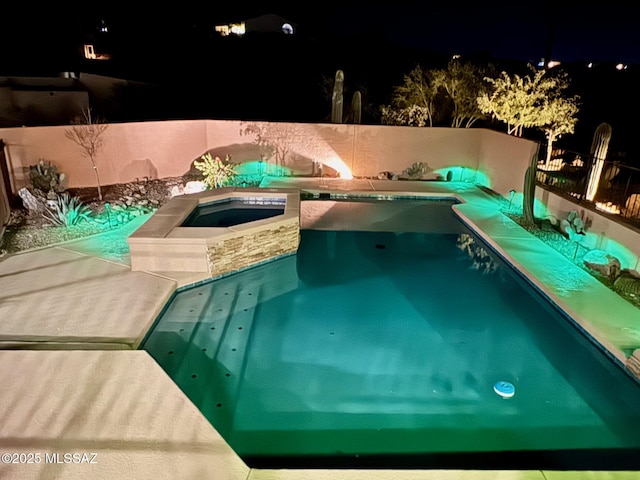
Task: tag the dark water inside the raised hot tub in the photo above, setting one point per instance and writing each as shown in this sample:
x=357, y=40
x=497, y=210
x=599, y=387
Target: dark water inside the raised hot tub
x=231, y=212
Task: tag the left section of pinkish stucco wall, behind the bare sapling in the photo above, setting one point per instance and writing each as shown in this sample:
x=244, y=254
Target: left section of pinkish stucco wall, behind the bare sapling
x=129, y=151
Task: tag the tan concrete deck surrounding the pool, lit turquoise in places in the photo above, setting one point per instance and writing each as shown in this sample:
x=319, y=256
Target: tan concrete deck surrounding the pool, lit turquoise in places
x=76, y=305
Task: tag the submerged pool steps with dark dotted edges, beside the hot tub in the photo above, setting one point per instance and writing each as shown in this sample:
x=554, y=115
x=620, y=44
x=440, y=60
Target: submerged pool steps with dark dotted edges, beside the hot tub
x=203, y=347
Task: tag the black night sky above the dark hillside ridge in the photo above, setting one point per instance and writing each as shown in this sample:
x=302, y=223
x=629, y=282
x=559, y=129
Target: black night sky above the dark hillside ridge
x=598, y=32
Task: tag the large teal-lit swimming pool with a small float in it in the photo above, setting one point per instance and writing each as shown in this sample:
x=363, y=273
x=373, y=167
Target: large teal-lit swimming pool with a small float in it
x=382, y=348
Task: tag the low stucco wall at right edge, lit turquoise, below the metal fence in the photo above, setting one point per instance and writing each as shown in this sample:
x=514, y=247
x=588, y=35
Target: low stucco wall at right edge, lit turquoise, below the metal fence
x=601, y=233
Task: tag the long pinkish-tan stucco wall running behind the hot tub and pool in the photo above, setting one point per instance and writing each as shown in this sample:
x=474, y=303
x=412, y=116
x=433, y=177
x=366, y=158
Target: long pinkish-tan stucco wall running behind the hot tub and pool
x=165, y=149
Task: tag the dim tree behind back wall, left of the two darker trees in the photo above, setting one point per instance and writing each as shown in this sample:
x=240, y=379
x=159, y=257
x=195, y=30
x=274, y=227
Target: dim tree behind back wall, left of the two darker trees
x=414, y=102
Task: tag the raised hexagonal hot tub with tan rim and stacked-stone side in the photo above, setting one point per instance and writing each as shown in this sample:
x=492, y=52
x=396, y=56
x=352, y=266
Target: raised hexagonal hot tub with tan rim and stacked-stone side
x=219, y=231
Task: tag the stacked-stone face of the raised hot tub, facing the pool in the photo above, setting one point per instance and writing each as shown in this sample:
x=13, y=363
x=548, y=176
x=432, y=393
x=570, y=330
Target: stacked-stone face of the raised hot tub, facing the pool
x=243, y=251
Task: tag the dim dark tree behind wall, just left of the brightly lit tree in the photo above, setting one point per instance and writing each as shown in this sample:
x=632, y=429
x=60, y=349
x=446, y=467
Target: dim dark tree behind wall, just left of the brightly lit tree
x=464, y=83
